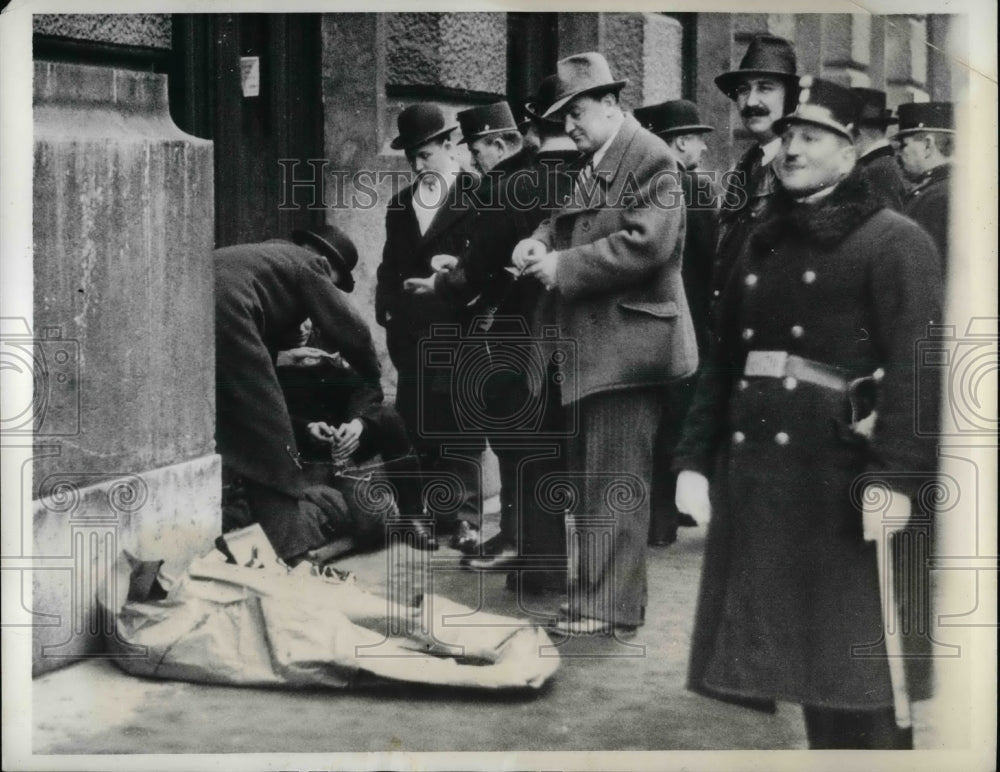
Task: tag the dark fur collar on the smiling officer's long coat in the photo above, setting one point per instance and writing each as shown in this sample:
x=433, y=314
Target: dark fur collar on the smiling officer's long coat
x=823, y=224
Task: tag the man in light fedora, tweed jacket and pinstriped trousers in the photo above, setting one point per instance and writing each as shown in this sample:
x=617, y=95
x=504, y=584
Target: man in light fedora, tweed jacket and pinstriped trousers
x=610, y=260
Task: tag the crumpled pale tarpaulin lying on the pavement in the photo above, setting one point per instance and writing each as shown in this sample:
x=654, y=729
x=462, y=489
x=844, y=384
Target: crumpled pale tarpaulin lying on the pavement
x=265, y=625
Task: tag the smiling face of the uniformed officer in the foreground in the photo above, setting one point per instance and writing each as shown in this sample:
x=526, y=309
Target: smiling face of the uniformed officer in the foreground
x=812, y=158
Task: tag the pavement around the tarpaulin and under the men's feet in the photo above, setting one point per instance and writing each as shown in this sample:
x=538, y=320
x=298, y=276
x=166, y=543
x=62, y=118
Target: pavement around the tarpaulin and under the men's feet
x=631, y=698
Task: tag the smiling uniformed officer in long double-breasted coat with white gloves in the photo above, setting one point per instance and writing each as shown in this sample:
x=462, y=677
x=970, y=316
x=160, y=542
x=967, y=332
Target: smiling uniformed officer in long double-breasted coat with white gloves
x=832, y=291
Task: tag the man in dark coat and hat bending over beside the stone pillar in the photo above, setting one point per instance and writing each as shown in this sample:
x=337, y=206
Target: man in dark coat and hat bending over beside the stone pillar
x=263, y=293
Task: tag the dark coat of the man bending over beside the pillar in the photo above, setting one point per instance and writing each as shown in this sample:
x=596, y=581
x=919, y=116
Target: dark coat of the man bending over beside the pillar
x=263, y=293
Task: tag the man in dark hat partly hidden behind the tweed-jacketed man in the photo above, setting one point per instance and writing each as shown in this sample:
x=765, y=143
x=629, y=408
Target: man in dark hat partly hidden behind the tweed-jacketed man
x=678, y=123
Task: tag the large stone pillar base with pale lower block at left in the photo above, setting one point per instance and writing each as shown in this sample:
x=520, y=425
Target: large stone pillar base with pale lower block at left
x=122, y=344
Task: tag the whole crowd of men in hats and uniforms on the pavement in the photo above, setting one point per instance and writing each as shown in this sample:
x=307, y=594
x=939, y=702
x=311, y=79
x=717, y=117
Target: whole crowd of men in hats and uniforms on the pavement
x=595, y=310
